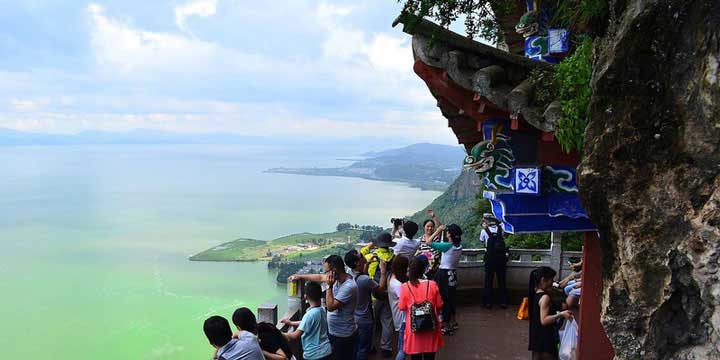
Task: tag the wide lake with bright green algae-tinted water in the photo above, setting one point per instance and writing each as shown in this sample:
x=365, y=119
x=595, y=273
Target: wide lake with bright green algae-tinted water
x=94, y=240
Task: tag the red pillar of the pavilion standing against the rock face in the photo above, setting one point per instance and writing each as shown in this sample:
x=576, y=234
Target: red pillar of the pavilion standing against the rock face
x=593, y=343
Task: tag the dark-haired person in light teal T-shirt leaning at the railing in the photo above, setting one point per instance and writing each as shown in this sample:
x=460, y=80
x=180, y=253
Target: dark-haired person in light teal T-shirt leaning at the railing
x=312, y=330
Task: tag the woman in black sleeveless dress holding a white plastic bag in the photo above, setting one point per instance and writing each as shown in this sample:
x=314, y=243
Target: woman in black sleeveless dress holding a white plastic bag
x=543, y=341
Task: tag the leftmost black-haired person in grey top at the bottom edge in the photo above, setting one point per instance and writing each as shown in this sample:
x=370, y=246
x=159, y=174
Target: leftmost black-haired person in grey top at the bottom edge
x=217, y=330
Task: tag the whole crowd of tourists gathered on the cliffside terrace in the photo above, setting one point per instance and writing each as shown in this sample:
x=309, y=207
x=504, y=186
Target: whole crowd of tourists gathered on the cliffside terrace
x=397, y=284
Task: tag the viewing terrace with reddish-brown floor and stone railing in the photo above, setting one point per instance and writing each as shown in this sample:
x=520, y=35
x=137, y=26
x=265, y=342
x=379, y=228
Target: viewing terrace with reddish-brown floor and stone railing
x=483, y=333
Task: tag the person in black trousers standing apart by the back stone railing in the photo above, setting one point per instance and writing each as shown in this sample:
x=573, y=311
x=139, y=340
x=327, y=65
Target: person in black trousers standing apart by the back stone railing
x=496, y=258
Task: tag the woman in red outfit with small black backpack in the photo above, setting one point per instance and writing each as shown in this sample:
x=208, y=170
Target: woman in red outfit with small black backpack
x=420, y=345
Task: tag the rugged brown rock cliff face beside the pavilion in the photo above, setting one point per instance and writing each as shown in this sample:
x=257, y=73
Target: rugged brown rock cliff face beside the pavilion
x=650, y=177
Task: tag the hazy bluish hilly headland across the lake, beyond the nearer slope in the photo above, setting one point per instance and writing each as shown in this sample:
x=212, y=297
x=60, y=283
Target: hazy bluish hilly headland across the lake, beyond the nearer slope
x=427, y=166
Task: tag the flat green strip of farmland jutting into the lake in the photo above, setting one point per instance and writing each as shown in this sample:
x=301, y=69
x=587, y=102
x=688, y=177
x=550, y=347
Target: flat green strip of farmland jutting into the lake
x=314, y=246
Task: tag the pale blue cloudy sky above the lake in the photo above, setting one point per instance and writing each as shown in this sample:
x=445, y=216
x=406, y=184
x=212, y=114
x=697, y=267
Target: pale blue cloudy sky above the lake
x=278, y=68
